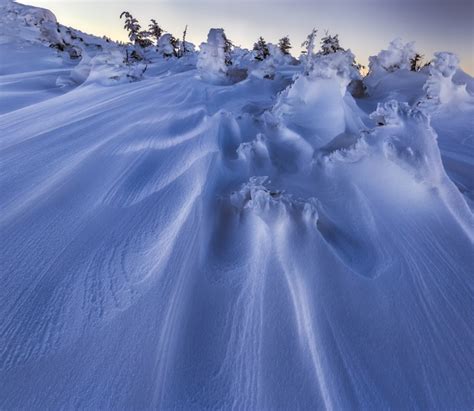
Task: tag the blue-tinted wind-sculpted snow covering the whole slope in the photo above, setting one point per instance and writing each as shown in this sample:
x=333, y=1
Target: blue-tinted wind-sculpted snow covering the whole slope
x=174, y=243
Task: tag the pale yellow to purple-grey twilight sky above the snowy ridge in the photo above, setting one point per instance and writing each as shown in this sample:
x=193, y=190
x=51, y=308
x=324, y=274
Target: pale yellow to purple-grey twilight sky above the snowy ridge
x=364, y=26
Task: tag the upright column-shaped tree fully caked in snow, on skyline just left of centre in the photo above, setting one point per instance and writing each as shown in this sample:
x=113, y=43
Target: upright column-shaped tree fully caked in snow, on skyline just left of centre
x=215, y=56
